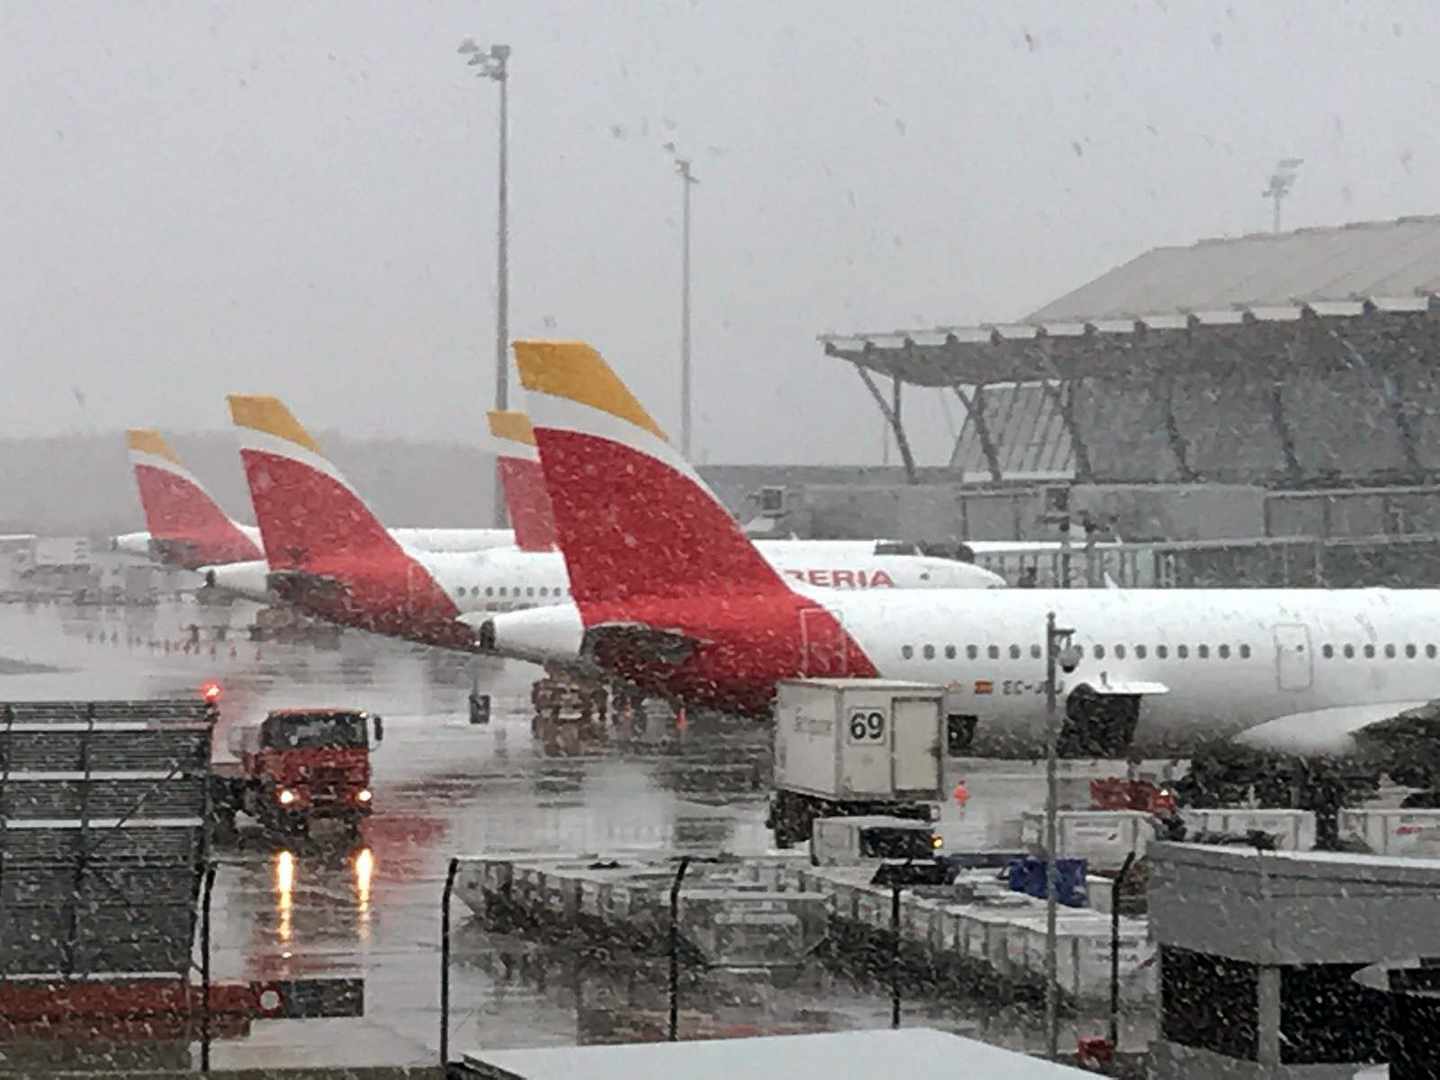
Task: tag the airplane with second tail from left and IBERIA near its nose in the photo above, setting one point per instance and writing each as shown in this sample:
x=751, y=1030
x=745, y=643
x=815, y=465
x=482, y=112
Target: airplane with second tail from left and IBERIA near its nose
x=328, y=552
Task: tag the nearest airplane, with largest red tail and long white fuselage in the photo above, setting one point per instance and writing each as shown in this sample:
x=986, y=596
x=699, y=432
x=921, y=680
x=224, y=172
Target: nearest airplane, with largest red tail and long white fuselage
x=1151, y=672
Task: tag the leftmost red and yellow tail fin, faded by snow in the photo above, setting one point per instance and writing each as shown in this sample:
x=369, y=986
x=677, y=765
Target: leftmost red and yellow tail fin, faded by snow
x=184, y=519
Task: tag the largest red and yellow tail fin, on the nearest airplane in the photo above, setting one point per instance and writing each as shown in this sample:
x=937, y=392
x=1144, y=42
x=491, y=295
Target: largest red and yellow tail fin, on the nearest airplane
x=631, y=515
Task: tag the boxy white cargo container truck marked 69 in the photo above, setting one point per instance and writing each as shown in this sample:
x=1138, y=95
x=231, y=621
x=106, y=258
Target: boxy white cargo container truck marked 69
x=855, y=747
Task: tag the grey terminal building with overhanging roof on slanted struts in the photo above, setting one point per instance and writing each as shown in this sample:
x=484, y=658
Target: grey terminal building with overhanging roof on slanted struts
x=1251, y=411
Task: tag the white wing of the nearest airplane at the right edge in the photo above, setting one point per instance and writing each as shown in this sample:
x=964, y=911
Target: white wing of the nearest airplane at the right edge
x=1379, y=728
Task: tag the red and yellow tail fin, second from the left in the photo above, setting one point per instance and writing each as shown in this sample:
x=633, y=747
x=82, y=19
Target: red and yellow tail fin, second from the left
x=307, y=510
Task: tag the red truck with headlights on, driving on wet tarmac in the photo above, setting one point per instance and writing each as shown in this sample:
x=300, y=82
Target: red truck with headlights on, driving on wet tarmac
x=294, y=767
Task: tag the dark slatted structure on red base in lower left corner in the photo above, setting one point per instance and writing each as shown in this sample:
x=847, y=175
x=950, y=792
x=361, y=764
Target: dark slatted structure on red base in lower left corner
x=106, y=873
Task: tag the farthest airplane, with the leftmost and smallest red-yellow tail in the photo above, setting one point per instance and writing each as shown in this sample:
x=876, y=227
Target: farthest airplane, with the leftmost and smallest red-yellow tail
x=189, y=529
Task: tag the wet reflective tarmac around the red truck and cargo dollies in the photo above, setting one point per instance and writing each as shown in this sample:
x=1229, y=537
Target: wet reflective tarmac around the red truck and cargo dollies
x=326, y=908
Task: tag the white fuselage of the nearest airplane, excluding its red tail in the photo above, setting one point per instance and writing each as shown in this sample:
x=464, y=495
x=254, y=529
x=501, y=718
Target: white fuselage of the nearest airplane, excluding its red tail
x=1228, y=660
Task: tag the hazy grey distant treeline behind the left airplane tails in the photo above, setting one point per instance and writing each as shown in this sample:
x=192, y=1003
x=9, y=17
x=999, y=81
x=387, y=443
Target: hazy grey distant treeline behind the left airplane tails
x=81, y=485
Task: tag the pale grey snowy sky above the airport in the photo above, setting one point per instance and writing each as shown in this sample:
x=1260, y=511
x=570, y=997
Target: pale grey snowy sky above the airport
x=300, y=198
